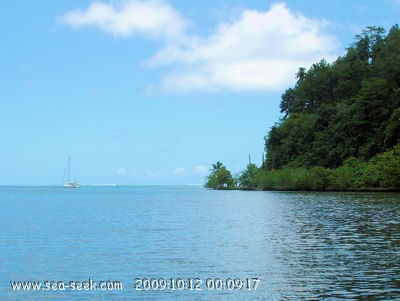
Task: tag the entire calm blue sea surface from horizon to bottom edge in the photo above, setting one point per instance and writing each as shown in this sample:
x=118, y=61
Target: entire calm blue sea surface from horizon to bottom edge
x=301, y=246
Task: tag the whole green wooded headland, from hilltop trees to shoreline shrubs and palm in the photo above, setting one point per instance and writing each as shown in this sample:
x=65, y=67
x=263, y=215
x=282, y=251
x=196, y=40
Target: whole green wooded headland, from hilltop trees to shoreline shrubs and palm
x=340, y=125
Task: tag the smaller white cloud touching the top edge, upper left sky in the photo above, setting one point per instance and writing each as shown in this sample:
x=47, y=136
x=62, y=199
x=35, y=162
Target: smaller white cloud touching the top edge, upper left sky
x=152, y=18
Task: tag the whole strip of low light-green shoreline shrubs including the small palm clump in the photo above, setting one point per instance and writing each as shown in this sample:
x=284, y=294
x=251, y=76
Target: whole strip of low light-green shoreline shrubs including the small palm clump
x=381, y=172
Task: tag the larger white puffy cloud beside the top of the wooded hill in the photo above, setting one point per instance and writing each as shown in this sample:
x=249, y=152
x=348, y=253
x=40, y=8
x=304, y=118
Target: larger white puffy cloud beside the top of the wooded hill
x=259, y=51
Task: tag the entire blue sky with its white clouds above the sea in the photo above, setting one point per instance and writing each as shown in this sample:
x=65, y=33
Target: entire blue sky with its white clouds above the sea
x=154, y=92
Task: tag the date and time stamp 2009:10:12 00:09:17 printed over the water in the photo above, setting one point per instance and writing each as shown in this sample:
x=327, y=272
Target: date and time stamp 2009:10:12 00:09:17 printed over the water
x=196, y=284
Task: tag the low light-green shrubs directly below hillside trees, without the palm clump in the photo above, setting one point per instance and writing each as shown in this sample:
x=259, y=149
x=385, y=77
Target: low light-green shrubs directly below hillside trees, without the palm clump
x=380, y=172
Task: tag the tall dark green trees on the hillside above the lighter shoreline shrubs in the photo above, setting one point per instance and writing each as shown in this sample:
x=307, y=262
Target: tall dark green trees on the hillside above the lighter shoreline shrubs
x=349, y=108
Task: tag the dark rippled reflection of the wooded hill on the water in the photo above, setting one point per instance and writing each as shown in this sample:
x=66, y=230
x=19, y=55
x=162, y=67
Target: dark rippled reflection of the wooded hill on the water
x=341, y=246
